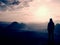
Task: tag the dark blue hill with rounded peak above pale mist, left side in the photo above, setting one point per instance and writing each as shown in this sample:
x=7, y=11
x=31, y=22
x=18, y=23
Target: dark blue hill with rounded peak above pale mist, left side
x=15, y=26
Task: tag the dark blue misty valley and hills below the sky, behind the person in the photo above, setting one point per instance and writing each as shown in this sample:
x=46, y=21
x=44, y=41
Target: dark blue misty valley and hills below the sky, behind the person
x=26, y=34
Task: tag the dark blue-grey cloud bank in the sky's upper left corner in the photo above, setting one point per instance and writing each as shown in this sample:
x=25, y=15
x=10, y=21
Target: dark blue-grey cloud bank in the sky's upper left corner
x=13, y=4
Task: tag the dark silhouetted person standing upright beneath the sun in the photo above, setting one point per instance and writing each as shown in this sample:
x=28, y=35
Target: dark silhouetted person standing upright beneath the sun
x=51, y=31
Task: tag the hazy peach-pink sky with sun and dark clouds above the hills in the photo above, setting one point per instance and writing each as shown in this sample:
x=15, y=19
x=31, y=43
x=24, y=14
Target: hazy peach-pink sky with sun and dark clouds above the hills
x=29, y=10
